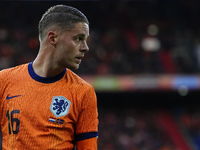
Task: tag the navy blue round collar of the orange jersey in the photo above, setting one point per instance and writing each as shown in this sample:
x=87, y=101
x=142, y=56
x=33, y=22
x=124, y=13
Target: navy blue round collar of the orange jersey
x=43, y=79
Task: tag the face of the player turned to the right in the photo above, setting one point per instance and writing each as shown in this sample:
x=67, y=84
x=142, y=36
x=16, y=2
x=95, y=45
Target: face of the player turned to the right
x=71, y=46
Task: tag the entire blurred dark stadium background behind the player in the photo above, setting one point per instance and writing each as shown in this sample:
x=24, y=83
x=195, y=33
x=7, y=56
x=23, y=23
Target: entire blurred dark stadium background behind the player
x=144, y=63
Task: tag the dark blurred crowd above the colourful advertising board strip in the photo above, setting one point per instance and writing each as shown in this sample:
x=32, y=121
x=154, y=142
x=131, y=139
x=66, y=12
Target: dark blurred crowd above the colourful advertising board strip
x=126, y=37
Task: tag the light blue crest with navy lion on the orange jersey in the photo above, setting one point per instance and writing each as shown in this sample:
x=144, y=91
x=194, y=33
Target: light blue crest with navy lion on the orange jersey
x=60, y=106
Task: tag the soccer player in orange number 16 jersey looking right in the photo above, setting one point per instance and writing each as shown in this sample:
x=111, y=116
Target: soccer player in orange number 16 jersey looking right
x=43, y=104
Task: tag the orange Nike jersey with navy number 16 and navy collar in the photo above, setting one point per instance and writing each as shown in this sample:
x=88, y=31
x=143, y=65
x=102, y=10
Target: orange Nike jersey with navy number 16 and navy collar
x=46, y=113
